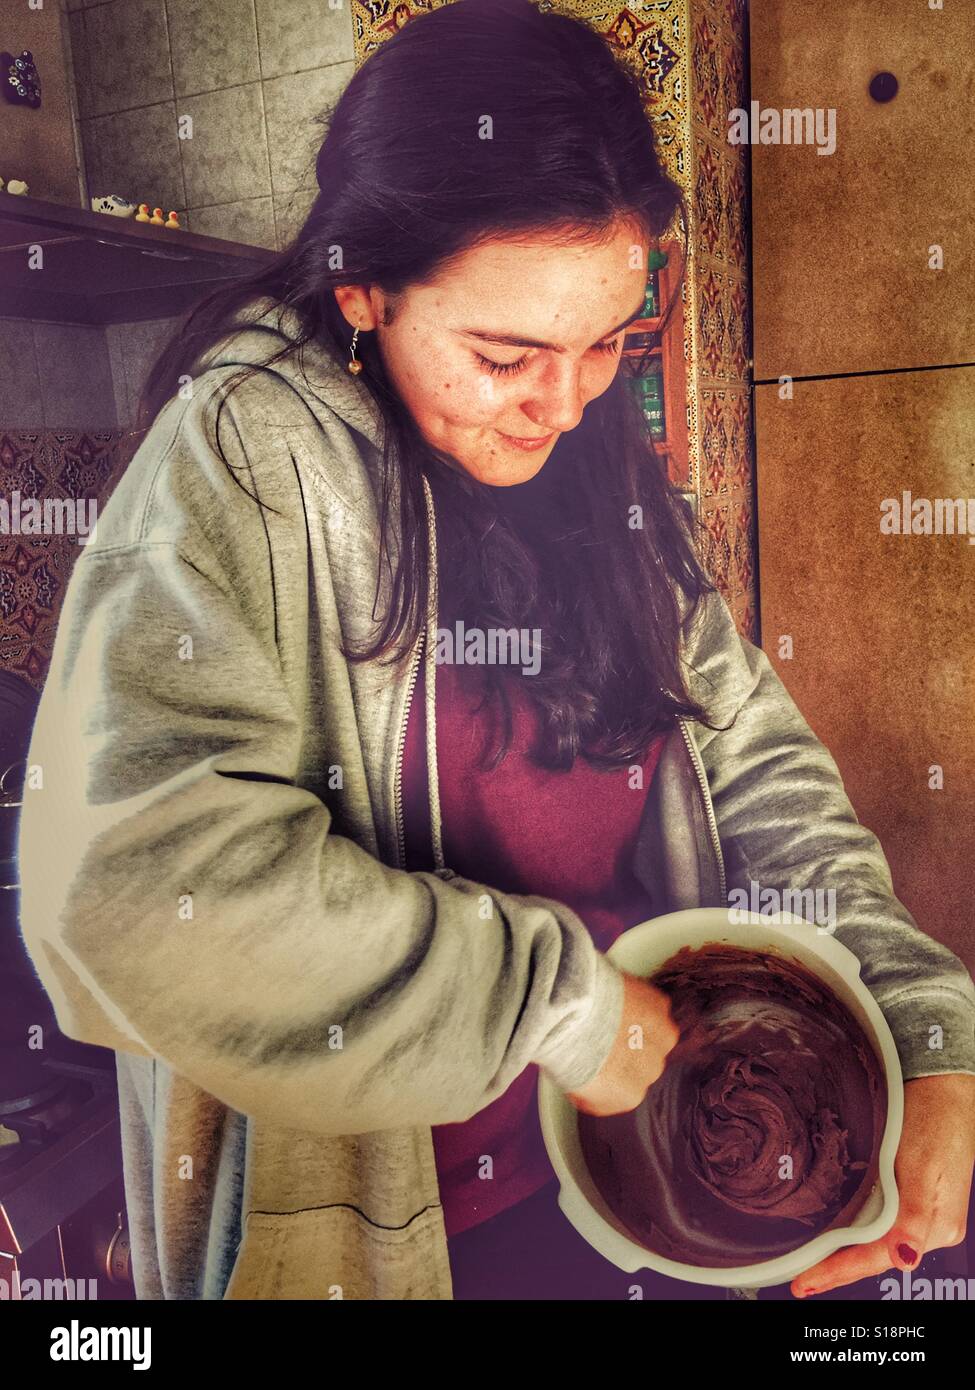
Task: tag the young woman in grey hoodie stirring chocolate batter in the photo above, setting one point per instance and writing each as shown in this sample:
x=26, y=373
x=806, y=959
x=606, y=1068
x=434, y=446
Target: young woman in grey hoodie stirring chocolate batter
x=335, y=890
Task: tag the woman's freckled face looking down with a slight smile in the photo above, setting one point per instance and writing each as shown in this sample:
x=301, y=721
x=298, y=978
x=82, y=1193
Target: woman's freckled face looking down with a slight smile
x=500, y=357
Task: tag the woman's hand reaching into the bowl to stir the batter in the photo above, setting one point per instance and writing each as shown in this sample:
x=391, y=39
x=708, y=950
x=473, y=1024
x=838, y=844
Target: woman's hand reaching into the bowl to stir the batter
x=639, y=1054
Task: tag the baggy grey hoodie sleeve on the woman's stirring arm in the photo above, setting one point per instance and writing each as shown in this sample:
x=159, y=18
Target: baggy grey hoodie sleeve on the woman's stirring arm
x=183, y=899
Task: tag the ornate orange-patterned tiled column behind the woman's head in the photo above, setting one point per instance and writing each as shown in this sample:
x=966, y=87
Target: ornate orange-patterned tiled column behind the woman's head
x=692, y=56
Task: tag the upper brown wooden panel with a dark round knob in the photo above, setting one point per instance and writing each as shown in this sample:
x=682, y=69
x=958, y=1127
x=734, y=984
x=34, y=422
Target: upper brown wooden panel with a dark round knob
x=841, y=241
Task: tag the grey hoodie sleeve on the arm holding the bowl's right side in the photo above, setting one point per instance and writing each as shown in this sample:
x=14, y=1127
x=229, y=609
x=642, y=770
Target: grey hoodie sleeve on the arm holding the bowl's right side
x=785, y=822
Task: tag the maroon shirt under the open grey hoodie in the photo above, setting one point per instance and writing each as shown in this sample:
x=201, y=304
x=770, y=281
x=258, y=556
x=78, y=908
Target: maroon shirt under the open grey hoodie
x=521, y=829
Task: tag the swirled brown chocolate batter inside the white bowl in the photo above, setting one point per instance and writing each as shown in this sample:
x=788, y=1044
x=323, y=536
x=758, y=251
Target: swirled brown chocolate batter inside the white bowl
x=770, y=1065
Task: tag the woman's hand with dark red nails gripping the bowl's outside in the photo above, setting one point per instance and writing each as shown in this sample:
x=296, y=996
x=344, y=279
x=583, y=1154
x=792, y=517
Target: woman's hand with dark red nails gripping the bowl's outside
x=934, y=1171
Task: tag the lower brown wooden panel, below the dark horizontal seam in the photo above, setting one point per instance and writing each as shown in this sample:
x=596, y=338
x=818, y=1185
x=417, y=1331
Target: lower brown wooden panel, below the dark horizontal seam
x=884, y=626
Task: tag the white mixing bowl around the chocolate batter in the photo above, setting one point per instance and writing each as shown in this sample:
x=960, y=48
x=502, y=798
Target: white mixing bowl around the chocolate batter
x=643, y=951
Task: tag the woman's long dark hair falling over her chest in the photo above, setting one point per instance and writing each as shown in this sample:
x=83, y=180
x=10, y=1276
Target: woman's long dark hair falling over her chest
x=407, y=187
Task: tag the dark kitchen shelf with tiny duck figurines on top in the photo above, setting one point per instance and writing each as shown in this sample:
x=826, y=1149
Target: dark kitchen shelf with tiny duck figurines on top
x=108, y=270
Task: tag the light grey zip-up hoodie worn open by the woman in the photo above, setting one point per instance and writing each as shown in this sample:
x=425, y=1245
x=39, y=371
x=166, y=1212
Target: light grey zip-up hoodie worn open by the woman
x=212, y=865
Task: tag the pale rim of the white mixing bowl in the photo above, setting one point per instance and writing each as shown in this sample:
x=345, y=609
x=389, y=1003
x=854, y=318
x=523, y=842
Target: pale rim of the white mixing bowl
x=557, y=1113
